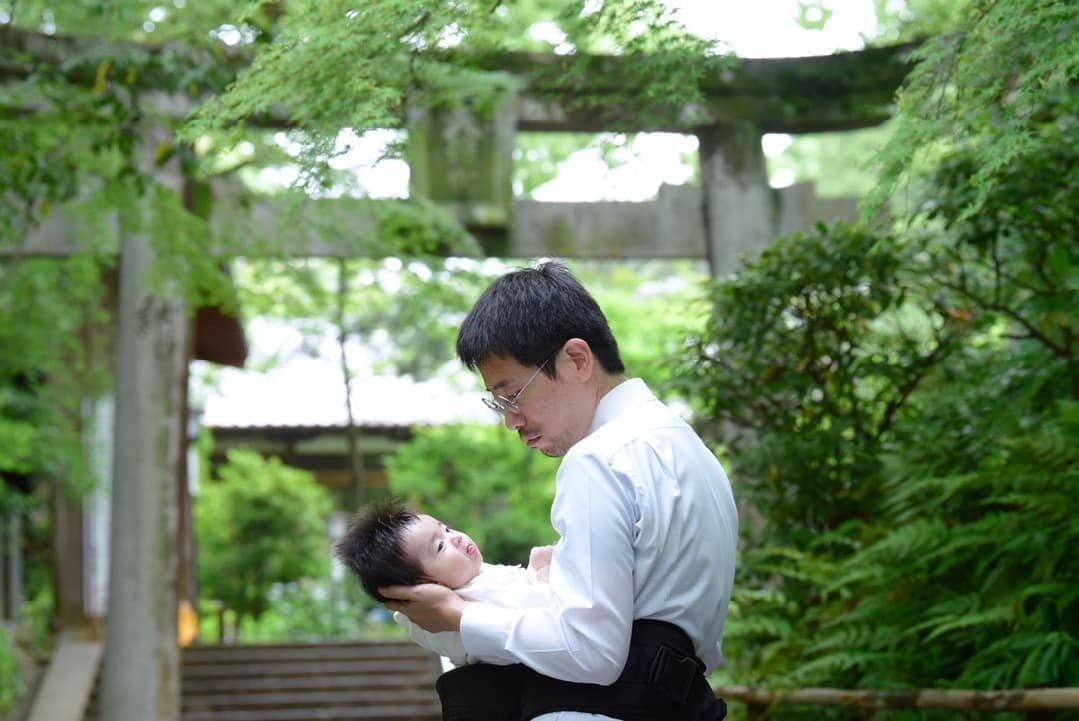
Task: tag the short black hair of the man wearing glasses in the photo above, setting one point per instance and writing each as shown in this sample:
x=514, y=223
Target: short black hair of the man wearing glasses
x=529, y=314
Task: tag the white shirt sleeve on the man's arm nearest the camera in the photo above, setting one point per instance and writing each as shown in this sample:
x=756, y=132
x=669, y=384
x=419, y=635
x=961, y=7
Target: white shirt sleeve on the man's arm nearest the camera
x=584, y=634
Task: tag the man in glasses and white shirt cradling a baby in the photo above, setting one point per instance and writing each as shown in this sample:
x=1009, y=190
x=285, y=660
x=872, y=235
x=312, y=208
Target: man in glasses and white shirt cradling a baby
x=645, y=566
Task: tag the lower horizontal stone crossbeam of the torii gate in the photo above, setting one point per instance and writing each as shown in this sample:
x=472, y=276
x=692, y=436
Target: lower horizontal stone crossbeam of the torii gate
x=671, y=227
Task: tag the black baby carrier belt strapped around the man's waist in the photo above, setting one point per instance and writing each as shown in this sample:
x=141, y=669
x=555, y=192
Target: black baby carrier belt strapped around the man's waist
x=663, y=681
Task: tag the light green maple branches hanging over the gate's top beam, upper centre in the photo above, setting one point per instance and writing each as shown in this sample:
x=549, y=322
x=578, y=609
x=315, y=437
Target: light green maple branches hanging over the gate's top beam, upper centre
x=333, y=64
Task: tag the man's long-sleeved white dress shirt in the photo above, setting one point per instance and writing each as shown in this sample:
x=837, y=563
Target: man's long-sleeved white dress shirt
x=648, y=529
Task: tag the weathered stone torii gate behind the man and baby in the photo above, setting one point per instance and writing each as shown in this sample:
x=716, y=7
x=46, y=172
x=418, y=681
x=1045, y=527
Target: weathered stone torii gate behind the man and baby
x=734, y=212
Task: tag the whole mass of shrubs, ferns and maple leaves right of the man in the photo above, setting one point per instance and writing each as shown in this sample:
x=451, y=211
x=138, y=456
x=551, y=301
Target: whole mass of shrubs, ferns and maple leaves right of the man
x=918, y=511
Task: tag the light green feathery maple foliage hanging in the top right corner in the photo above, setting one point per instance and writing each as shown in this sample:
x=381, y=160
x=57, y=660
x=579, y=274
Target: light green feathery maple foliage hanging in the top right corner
x=986, y=90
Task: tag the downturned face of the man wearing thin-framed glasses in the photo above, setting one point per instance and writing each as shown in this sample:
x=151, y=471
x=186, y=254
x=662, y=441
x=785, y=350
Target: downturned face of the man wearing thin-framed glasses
x=553, y=414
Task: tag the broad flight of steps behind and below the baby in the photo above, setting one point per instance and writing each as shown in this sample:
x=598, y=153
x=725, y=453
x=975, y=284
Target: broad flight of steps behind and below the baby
x=371, y=682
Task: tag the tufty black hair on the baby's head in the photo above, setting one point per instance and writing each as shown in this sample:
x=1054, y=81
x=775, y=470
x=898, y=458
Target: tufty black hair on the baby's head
x=373, y=549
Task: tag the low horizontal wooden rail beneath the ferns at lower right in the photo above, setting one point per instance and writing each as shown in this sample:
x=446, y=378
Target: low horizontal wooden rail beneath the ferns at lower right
x=1019, y=700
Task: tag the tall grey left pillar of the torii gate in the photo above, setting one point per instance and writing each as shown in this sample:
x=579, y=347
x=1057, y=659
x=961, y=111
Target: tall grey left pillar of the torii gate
x=141, y=674
